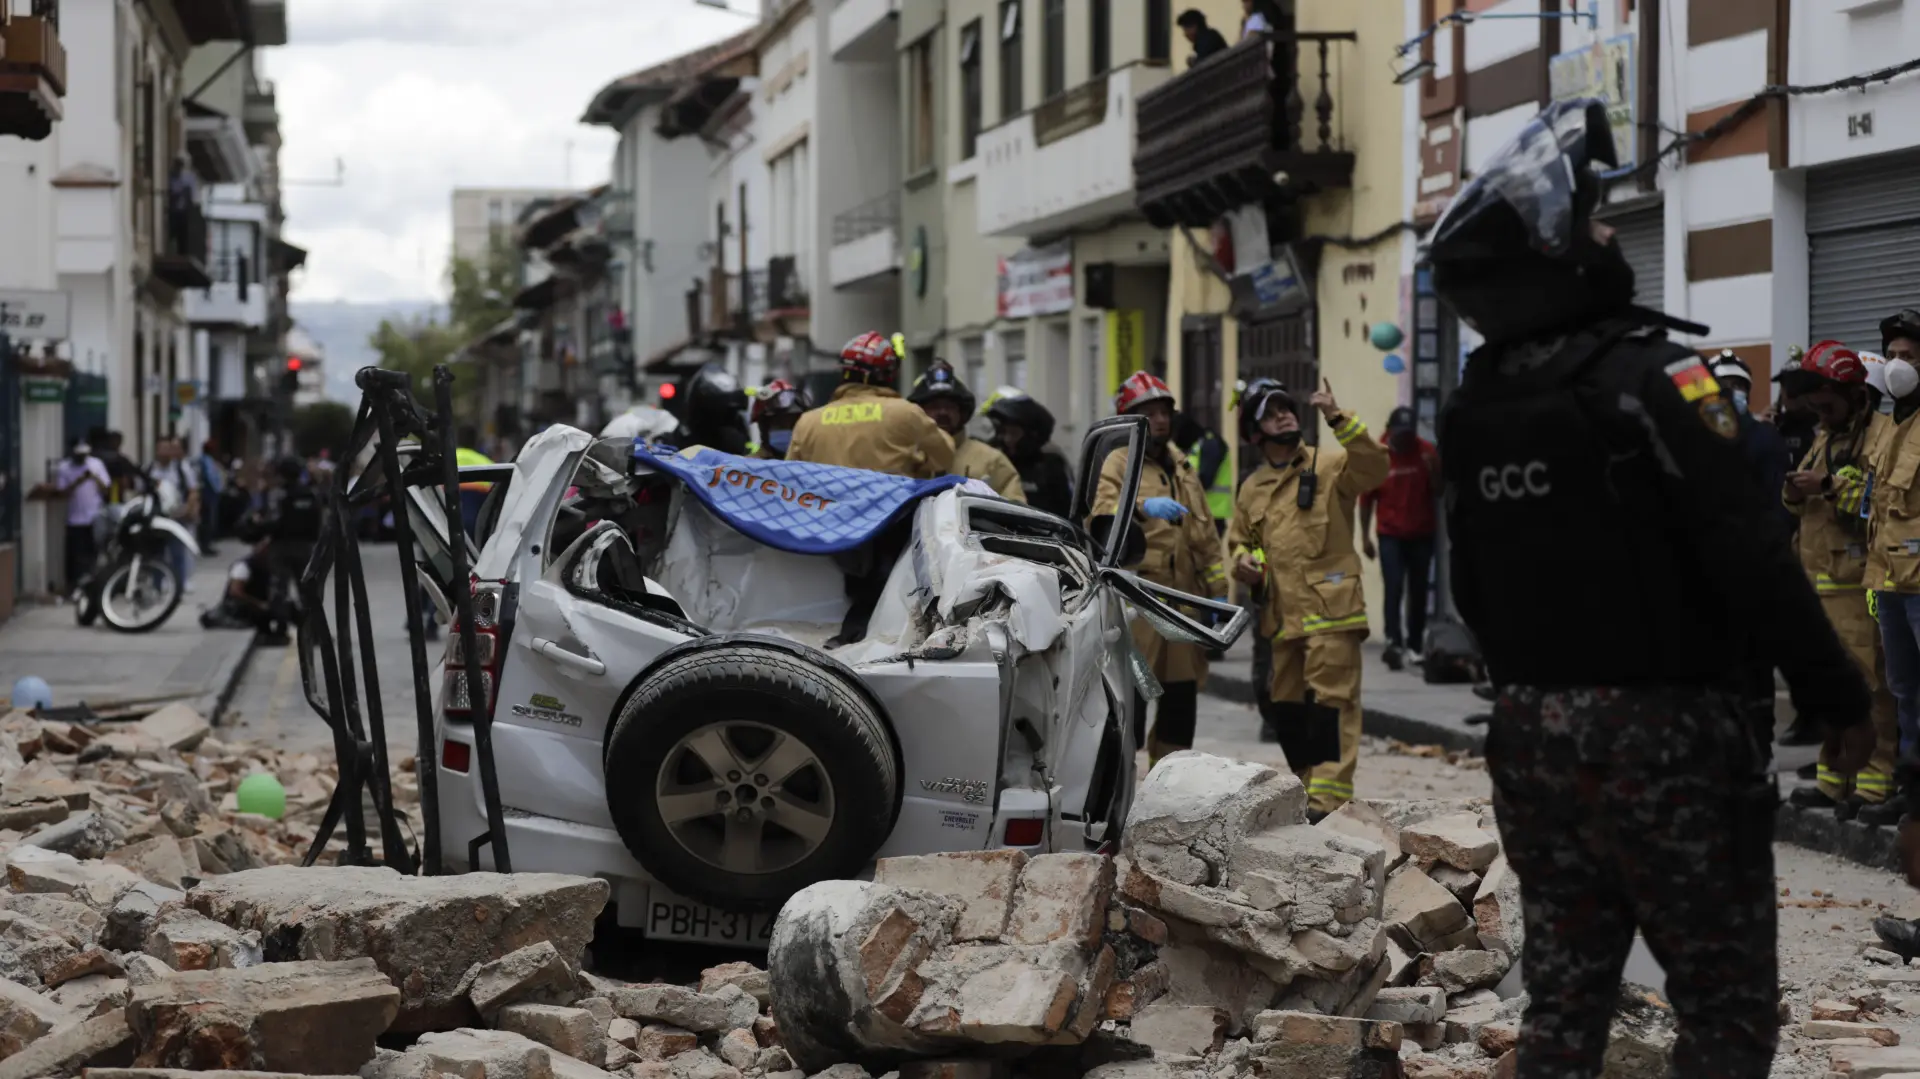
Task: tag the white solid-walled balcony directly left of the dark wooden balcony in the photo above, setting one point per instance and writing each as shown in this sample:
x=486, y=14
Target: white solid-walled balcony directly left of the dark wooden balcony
x=1067, y=162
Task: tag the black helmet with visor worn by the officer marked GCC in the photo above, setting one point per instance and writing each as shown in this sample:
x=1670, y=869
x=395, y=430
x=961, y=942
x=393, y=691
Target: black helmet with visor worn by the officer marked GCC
x=1516, y=252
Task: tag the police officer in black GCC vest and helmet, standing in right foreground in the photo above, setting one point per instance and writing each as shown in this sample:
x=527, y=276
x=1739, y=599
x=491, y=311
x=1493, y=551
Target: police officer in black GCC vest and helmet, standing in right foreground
x=1618, y=562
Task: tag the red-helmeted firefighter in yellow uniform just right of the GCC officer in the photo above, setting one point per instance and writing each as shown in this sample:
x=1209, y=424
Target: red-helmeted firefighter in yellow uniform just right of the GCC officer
x=1825, y=492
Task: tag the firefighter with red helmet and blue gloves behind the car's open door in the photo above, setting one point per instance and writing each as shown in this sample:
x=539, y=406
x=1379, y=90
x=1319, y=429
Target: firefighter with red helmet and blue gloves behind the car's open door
x=1182, y=552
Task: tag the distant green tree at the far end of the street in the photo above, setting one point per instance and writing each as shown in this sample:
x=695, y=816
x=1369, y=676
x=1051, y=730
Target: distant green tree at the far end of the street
x=479, y=299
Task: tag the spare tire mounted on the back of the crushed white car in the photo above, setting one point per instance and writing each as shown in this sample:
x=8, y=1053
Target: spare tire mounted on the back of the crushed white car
x=742, y=773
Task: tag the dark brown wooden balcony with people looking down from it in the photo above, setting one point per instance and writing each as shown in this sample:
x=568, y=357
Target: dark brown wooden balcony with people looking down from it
x=1237, y=126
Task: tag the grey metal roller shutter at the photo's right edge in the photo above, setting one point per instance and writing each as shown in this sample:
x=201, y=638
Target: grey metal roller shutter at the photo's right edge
x=1863, y=233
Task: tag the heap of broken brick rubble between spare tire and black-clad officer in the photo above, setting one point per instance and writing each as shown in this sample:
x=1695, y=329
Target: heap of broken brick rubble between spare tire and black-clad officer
x=1230, y=938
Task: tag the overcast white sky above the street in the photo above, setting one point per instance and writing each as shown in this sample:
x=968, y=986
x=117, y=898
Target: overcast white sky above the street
x=420, y=97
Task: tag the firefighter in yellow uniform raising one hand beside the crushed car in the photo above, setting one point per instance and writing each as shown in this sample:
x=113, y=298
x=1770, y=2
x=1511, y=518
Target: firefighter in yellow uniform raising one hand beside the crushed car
x=1293, y=537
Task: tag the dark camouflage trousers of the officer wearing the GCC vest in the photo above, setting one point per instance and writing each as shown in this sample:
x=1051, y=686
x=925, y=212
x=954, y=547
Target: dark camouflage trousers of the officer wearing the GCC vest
x=1639, y=809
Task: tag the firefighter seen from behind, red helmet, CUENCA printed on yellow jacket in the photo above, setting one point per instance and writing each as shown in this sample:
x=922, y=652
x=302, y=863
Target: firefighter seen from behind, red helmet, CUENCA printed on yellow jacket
x=867, y=425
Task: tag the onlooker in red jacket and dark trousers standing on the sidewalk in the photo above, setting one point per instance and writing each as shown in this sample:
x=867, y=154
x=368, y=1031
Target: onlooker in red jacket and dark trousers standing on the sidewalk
x=1408, y=523
